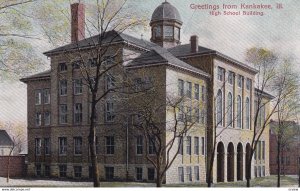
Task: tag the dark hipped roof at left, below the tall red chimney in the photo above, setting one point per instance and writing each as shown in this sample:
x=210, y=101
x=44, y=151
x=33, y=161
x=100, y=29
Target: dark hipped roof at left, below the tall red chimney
x=106, y=39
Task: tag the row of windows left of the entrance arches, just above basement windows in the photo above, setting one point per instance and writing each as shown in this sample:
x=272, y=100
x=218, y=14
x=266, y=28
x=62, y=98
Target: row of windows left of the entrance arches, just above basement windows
x=188, y=144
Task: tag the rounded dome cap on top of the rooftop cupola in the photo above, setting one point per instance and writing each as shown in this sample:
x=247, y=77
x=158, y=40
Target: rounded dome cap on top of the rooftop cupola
x=166, y=11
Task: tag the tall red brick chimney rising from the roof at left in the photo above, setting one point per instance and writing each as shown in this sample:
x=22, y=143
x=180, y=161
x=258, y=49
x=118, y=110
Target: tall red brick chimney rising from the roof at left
x=77, y=22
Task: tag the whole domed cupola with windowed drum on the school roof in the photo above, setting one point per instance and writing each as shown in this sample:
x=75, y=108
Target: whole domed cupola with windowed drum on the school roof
x=165, y=25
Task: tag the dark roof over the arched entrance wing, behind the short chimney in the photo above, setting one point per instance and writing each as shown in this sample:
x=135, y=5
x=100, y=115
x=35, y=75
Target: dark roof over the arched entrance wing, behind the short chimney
x=185, y=51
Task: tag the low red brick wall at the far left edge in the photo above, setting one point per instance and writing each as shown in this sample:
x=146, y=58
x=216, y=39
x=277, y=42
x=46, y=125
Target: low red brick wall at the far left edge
x=17, y=166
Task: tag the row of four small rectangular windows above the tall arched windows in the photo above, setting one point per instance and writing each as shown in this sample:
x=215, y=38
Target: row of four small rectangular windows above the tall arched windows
x=231, y=78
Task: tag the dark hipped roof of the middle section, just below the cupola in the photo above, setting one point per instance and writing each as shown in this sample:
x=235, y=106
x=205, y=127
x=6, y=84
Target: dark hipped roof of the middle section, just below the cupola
x=159, y=55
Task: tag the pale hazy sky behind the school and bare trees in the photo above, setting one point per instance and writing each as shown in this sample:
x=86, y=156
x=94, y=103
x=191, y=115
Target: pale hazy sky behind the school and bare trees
x=232, y=35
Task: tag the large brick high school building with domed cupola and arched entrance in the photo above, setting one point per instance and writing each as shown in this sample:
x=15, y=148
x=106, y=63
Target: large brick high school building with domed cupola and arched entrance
x=58, y=107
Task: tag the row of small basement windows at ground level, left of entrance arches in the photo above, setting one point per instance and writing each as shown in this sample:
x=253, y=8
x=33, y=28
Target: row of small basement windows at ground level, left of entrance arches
x=189, y=174
